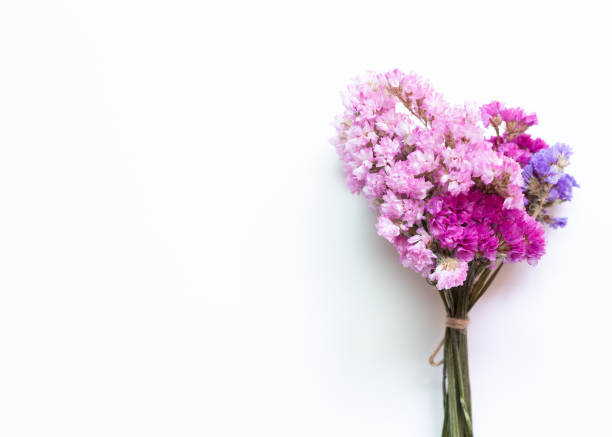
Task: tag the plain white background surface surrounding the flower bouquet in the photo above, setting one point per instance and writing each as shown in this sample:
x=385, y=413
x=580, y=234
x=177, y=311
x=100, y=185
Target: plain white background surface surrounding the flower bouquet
x=179, y=255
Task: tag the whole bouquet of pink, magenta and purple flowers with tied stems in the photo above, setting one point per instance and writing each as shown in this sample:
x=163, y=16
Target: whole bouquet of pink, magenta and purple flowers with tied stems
x=459, y=191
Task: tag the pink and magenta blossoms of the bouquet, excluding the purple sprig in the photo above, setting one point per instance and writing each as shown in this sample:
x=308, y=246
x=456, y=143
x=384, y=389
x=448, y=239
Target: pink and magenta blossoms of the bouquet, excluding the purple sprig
x=445, y=194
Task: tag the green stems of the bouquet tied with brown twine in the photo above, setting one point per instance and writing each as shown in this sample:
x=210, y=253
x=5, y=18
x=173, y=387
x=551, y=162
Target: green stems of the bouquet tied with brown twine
x=456, y=377
